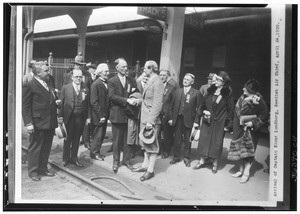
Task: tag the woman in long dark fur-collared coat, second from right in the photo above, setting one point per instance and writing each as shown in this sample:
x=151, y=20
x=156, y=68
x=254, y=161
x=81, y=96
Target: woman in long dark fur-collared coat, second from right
x=217, y=108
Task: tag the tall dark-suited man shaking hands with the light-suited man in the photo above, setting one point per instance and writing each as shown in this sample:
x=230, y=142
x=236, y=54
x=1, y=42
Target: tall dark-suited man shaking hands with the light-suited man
x=119, y=88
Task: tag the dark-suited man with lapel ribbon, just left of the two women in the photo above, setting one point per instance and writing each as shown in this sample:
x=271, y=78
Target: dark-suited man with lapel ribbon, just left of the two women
x=184, y=115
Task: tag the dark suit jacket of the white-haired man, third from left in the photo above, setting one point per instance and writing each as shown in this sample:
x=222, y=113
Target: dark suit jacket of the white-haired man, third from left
x=99, y=101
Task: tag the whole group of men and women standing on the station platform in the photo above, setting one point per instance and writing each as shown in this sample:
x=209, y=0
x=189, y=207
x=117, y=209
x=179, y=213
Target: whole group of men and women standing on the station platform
x=139, y=109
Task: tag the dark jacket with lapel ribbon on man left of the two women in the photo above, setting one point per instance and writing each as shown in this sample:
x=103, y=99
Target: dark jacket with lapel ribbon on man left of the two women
x=190, y=110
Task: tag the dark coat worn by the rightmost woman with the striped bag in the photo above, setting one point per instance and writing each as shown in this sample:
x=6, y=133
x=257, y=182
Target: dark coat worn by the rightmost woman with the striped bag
x=260, y=110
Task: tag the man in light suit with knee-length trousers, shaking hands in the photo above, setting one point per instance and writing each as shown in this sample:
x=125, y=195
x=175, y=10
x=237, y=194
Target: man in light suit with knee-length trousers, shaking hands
x=151, y=107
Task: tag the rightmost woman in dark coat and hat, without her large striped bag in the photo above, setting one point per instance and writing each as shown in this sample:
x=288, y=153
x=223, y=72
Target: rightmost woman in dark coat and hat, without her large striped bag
x=251, y=102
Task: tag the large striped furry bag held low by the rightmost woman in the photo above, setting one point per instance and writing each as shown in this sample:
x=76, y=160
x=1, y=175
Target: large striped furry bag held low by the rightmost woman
x=242, y=147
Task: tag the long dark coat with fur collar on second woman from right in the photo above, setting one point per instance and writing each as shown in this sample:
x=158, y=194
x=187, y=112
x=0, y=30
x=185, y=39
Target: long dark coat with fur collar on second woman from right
x=212, y=135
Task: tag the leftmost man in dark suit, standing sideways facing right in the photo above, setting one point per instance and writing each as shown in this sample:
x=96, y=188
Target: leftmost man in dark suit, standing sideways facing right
x=40, y=119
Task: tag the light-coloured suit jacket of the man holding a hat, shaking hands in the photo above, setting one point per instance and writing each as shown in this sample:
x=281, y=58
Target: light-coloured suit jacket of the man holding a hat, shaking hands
x=152, y=101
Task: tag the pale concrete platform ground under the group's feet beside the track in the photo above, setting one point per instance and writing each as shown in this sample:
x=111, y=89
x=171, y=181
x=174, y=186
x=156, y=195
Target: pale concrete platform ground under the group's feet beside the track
x=182, y=183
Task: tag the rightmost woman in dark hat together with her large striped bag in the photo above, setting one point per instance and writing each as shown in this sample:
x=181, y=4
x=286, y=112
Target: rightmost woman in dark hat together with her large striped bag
x=251, y=113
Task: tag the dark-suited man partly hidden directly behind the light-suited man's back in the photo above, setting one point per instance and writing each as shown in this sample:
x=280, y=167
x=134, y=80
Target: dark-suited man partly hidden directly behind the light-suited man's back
x=168, y=132
